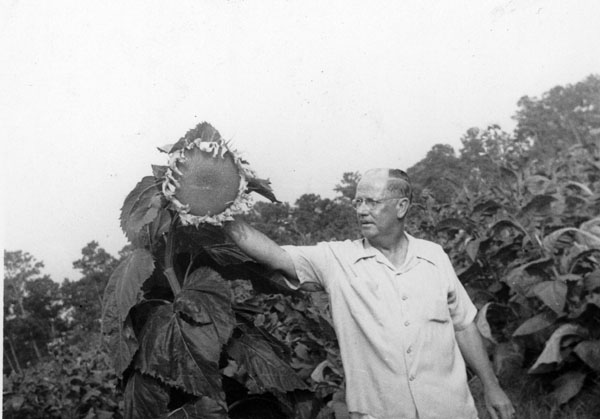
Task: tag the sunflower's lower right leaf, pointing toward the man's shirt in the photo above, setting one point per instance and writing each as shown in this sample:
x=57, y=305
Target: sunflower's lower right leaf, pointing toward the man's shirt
x=263, y=365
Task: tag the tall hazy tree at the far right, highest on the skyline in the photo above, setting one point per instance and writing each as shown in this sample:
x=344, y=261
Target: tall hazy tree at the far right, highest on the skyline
x=562, y=117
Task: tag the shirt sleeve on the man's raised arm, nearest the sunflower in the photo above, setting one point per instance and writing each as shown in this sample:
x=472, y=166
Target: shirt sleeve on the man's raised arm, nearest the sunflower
x=310, y=263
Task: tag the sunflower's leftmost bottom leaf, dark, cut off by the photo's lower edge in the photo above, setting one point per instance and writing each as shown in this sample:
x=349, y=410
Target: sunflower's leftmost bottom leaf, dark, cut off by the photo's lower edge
x=145, y=397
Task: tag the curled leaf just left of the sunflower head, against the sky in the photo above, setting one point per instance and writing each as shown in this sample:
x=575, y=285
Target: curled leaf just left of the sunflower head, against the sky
x=140, y=207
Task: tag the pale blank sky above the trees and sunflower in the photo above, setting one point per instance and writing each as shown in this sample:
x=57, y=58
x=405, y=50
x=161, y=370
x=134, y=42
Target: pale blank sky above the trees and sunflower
x=307, y=90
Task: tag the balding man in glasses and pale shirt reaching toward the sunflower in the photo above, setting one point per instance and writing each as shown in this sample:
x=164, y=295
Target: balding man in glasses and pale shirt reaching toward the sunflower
x=401, y=315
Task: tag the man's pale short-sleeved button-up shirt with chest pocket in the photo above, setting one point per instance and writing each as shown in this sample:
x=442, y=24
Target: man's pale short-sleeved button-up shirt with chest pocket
x=395, y=327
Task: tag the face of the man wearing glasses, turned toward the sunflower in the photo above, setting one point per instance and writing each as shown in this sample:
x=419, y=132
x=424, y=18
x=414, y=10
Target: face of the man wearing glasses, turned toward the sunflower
x=381, y=218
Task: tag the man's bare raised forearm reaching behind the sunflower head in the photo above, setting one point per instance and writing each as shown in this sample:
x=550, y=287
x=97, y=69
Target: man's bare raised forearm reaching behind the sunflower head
x=261, y=248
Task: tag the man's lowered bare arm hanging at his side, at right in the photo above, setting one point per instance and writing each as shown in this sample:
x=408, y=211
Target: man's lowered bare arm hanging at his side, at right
x=471, y=346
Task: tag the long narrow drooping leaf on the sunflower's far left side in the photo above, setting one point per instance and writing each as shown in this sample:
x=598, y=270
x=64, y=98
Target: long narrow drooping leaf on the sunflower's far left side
x=123, y=291
